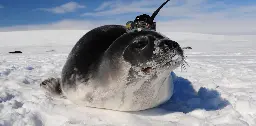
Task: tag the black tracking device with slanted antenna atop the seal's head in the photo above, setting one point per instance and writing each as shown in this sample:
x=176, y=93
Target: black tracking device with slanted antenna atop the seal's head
x=144, y=21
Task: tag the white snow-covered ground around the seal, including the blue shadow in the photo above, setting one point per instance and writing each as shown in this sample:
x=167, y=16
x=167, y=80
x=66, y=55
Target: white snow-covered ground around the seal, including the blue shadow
x=216, y=89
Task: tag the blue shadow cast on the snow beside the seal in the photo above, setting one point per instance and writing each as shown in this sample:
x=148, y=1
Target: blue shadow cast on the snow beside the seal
x=186, y=99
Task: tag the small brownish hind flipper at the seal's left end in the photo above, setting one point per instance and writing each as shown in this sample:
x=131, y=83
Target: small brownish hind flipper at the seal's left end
x=52, y=86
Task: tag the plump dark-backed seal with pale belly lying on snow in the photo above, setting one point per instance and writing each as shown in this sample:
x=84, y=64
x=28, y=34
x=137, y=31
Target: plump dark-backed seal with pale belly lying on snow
x=110, y=68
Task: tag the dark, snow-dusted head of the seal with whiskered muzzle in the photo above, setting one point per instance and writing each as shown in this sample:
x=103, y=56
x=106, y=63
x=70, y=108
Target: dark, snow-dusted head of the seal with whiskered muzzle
x=151, y=53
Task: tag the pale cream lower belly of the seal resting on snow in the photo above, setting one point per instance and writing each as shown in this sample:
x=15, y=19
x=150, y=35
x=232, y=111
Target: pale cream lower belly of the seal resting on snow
x=119, y=96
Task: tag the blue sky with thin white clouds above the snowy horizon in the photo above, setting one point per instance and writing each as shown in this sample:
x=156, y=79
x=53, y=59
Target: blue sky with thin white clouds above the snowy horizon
x=209, y=16
